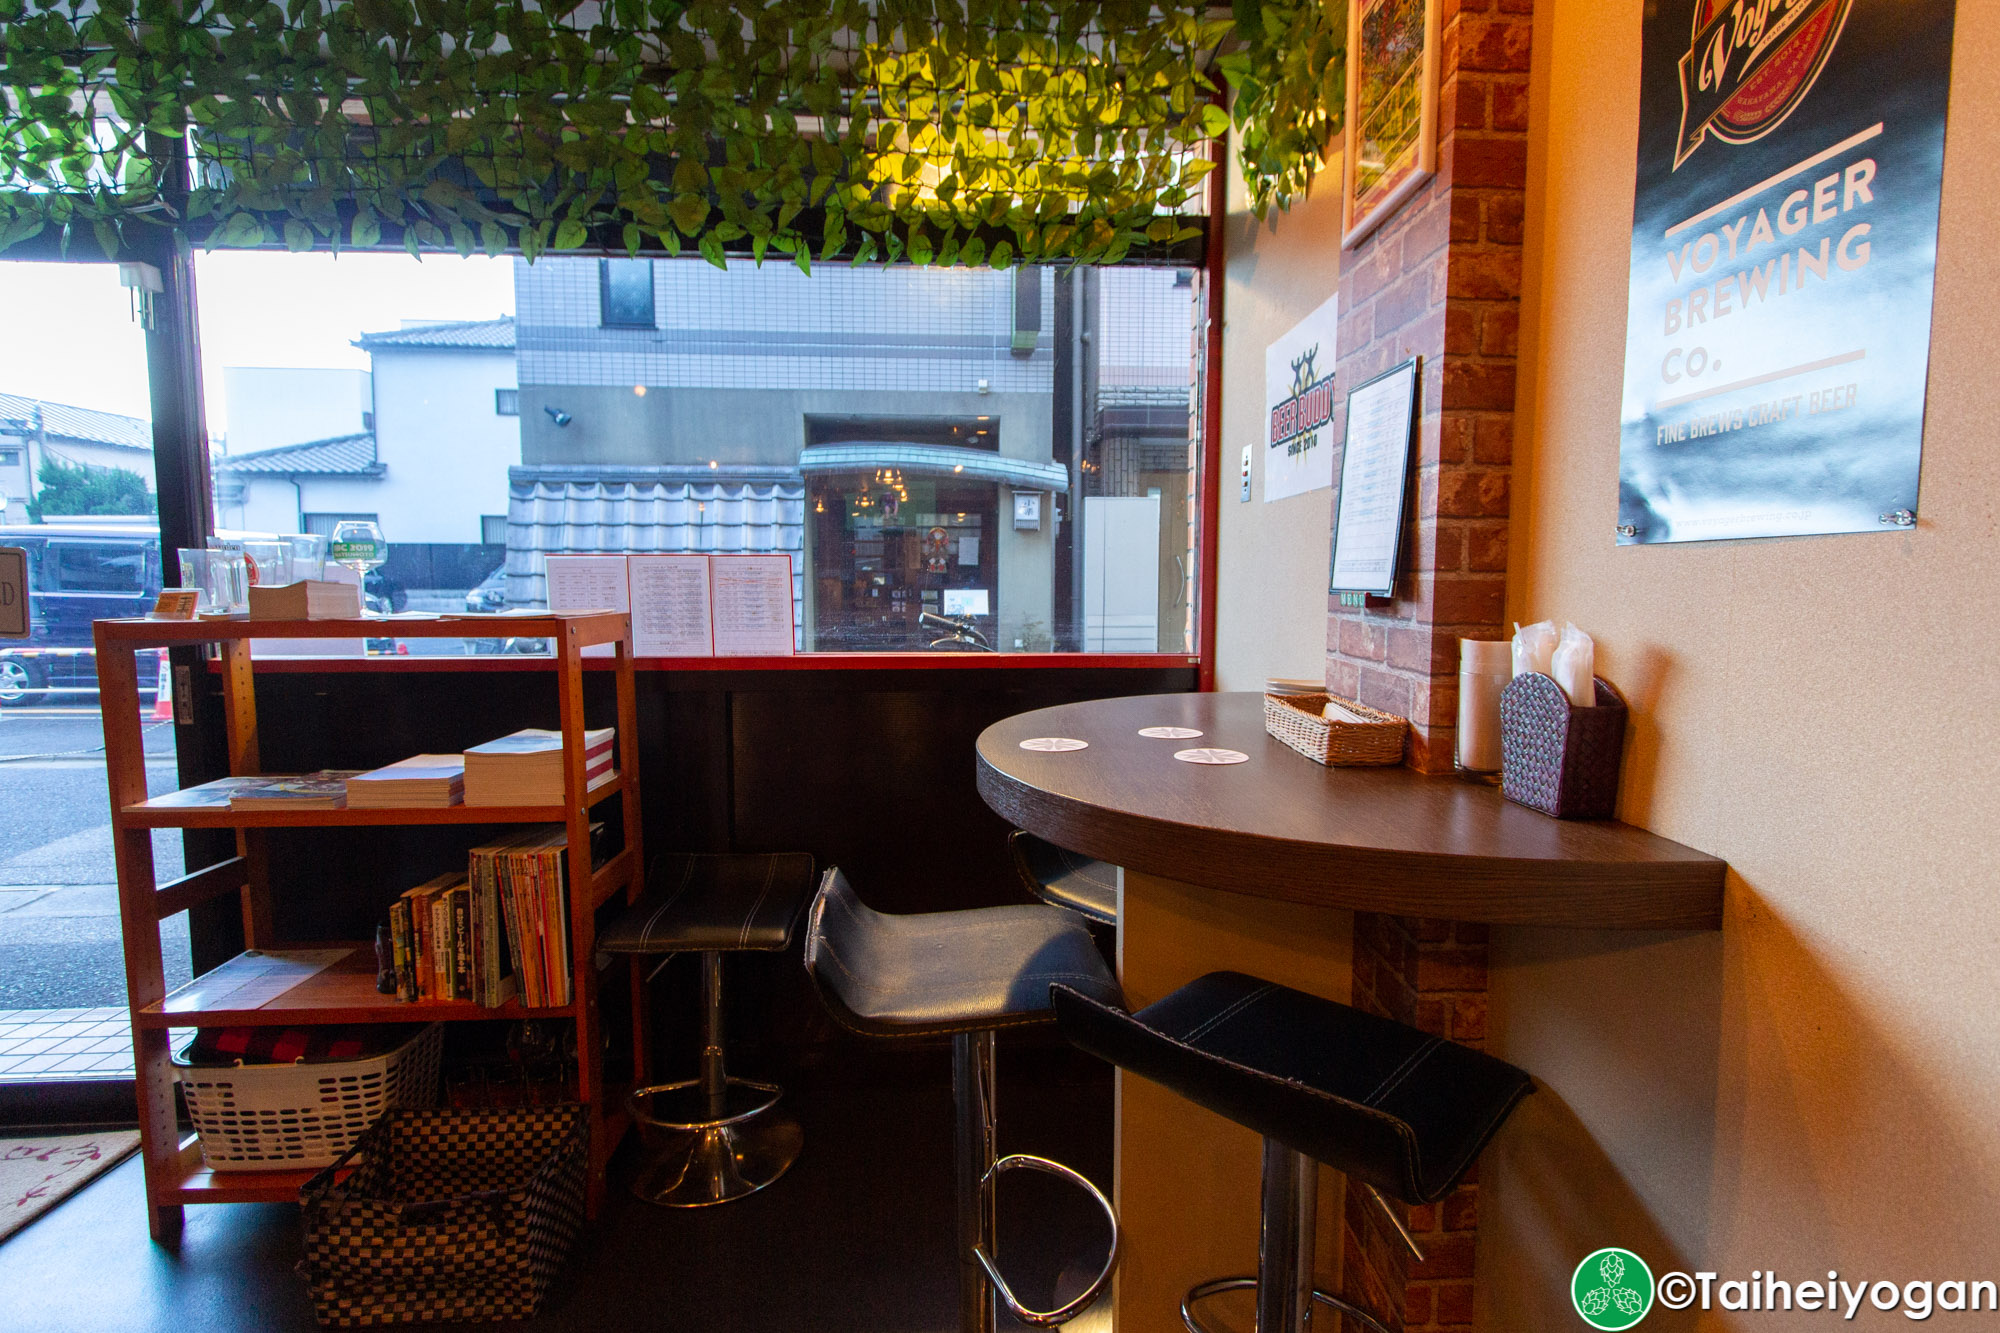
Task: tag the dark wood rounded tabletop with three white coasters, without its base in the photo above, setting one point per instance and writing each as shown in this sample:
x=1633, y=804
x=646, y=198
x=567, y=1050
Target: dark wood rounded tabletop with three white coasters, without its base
x=1285, y=828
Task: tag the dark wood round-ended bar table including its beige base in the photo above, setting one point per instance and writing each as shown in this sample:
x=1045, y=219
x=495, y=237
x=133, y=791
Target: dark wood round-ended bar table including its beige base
x=1259, y=868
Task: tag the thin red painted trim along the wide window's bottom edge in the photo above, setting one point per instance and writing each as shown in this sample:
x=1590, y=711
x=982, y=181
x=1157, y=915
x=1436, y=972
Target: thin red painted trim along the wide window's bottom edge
x=803, y=661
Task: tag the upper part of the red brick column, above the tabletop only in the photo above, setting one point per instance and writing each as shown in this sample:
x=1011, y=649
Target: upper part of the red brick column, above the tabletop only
x=1441, y=281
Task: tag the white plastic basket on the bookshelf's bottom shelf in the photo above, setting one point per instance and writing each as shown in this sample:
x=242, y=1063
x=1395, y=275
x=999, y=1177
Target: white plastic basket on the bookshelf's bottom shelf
x=275, y=1118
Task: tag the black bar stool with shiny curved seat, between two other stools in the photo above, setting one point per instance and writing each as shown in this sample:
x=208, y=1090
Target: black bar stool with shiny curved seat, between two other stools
x=963, y=976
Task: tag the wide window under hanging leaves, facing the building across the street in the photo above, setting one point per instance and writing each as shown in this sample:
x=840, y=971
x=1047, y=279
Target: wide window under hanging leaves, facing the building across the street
x=949, y=457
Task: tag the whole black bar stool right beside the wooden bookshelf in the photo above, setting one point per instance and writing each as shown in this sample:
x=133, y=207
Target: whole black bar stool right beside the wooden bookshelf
x=713, y=1138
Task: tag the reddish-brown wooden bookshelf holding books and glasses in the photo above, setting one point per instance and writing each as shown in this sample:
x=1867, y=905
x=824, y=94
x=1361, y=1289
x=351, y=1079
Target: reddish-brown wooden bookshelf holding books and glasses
x=343, y=992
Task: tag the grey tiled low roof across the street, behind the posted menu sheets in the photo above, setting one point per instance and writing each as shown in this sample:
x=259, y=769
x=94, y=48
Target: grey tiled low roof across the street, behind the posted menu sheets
x=651, y=509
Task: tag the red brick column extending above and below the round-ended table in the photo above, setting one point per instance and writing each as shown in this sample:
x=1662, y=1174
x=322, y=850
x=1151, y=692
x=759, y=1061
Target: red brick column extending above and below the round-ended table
x=1441, y=281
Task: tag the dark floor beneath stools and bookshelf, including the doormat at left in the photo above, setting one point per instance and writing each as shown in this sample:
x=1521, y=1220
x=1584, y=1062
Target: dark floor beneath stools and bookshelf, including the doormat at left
x=855, y=1238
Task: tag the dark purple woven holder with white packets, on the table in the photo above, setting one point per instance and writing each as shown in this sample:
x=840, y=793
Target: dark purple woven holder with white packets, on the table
x=1557, y=758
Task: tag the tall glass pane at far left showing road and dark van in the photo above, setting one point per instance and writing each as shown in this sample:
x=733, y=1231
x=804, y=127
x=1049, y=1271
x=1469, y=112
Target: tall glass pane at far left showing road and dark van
x=79, y=493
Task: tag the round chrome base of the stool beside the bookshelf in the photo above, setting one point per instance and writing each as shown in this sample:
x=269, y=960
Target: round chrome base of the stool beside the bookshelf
x=699, y=1162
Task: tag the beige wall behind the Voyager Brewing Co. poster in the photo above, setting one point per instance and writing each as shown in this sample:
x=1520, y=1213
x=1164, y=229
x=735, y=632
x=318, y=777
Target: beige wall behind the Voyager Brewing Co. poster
x=1815, y=1088
